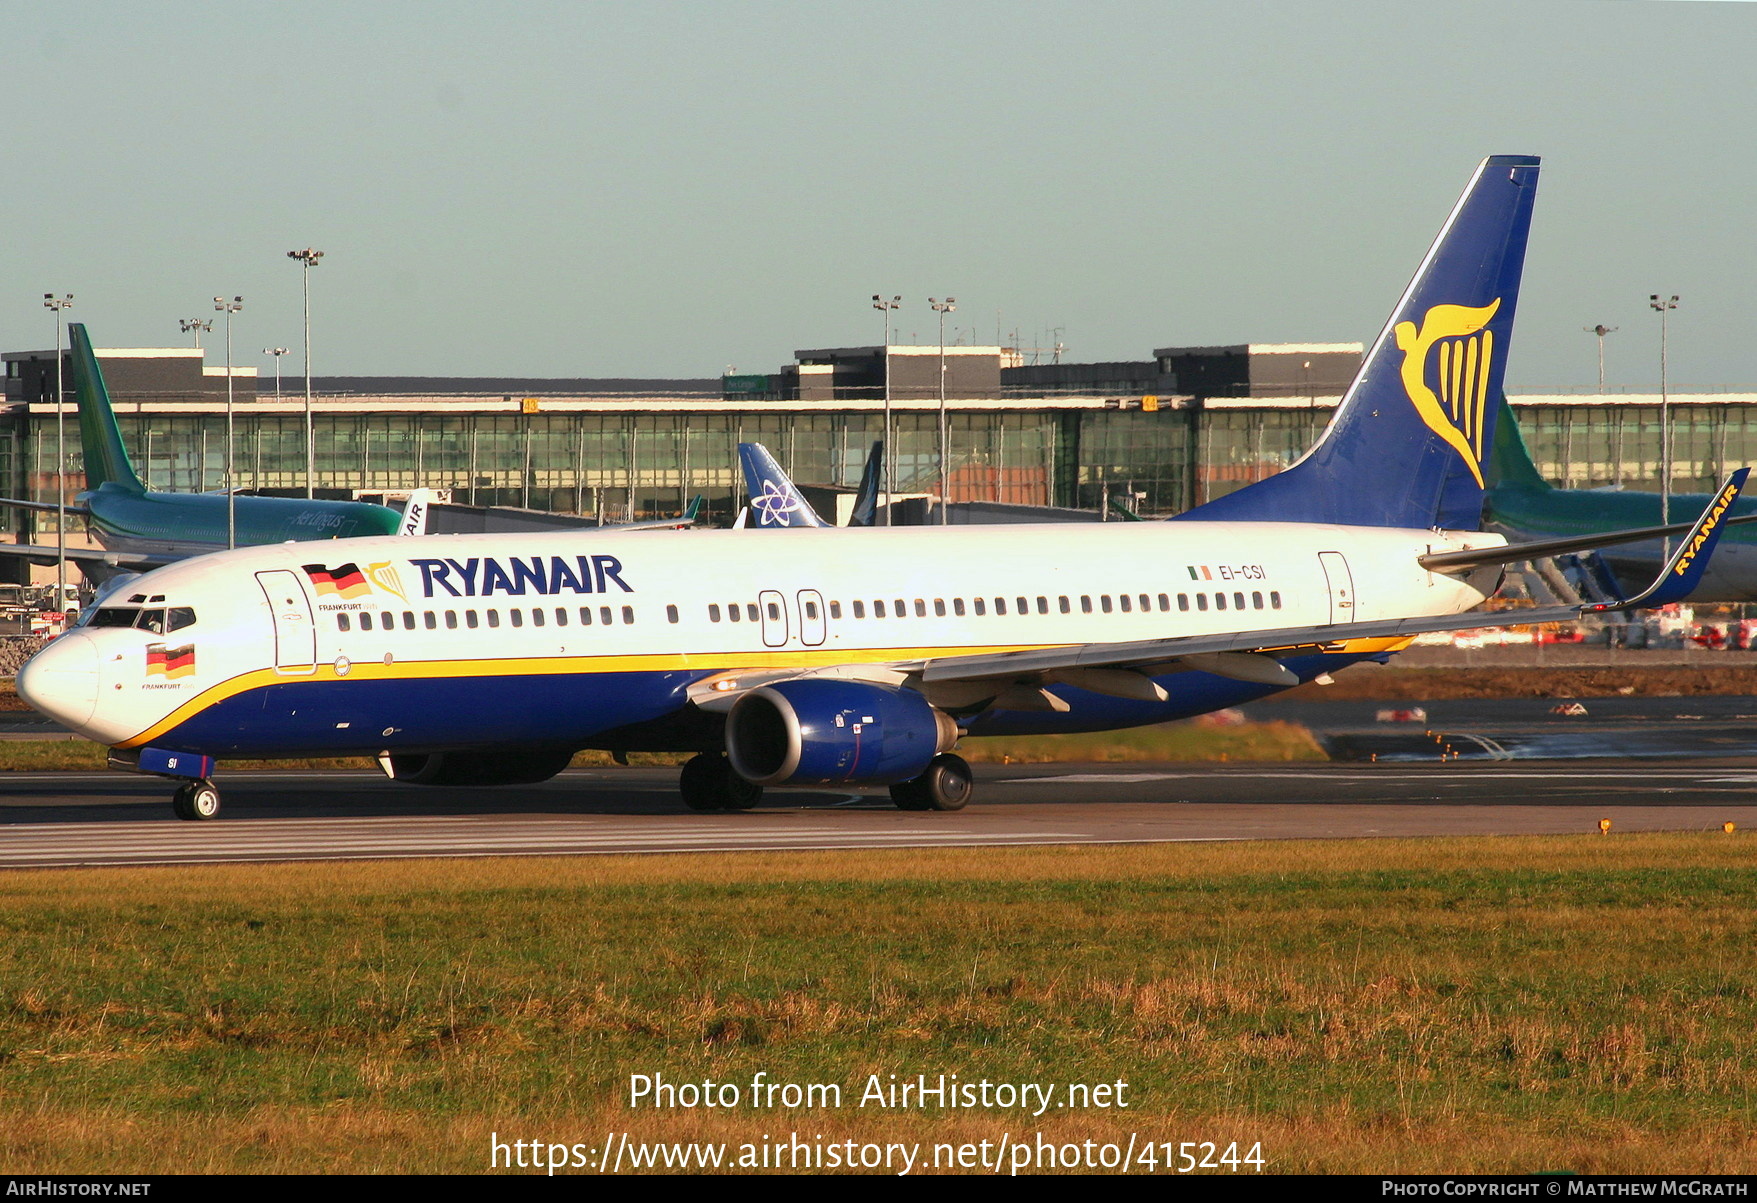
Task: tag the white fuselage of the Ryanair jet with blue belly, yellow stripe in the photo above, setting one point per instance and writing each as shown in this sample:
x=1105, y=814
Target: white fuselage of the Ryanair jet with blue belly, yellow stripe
x=570, y=635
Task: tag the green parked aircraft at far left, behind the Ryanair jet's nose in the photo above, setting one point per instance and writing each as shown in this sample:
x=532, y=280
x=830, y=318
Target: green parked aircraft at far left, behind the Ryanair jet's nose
x=143, y=529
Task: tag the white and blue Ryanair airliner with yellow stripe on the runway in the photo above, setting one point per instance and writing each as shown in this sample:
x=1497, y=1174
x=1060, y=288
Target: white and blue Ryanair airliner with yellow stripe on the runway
x=835, y=656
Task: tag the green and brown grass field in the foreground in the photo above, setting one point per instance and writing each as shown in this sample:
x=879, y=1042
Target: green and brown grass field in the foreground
x=1494, y=1005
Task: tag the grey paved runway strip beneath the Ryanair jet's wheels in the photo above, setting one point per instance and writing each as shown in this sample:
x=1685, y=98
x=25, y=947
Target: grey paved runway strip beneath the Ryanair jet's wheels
x=94, y=819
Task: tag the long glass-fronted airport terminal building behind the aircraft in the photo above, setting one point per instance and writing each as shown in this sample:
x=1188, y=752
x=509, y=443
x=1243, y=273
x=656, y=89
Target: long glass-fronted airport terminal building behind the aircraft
x=1157, y=435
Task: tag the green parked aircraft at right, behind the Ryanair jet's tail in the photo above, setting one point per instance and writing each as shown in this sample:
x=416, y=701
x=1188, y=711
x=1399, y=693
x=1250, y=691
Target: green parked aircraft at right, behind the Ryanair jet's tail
x=1524, y=507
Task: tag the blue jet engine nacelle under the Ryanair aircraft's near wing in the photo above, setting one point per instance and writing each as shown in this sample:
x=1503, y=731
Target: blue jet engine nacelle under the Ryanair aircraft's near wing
x=820, y=731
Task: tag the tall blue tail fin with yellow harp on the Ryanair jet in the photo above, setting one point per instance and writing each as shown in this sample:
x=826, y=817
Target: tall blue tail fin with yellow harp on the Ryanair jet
x=1408, y=443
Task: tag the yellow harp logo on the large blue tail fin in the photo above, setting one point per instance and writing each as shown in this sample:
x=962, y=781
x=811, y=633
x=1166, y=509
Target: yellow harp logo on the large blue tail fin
x=1466, y=349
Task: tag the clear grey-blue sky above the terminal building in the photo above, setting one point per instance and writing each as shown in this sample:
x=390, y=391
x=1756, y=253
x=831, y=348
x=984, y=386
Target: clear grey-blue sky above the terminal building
x=658, y=189
